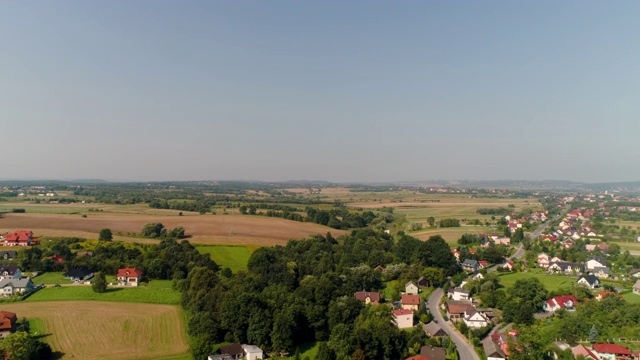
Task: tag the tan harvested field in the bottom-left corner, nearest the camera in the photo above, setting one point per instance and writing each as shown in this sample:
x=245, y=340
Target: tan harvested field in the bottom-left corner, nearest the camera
x=107, y=330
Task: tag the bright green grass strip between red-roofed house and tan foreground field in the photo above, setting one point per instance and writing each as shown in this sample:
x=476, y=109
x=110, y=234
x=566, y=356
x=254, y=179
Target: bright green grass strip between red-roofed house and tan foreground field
x=157, y=292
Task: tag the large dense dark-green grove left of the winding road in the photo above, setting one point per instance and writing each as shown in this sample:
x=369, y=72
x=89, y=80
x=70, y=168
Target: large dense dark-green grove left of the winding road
x=304, y=292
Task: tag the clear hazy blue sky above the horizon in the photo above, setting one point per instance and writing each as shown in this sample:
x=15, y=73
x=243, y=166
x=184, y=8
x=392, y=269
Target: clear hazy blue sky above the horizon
x=343, y=91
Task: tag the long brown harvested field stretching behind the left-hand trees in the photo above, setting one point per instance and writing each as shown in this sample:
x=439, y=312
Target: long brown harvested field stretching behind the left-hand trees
x=204, y=229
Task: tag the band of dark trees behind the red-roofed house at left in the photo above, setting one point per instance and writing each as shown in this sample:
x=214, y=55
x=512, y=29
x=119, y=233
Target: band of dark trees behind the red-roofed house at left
x=167, y=260
